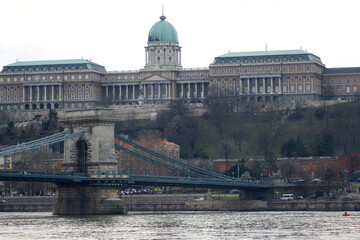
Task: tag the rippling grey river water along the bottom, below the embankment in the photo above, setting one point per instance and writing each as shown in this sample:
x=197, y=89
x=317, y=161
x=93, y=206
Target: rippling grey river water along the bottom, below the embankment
x=182, y=225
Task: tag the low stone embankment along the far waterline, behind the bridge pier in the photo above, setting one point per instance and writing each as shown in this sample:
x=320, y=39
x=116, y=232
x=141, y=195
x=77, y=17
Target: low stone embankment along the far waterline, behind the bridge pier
x=189, y=202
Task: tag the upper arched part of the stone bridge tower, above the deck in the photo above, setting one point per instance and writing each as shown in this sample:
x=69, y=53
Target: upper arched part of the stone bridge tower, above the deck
x=94, y=151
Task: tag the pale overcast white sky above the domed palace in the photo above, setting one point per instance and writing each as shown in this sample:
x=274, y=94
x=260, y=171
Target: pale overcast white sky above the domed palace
x=113, y=33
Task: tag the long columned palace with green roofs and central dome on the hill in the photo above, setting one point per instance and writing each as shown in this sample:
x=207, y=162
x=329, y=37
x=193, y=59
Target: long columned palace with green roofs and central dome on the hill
x=266, y=76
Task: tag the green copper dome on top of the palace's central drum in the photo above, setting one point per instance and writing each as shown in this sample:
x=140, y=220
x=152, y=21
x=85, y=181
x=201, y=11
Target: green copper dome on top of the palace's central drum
x=162, y=31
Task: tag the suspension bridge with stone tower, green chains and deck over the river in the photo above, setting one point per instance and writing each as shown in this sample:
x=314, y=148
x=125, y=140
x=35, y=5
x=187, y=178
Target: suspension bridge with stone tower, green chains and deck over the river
x=82, y=161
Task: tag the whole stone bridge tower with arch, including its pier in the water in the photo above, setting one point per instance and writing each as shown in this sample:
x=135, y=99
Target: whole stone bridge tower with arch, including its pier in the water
x=92, y=153
